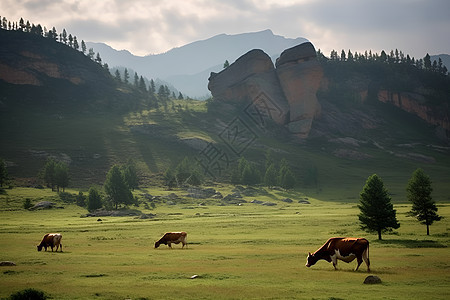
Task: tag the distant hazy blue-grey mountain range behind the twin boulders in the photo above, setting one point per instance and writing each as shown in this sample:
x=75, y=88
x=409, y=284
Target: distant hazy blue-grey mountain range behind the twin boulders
x=187, y=68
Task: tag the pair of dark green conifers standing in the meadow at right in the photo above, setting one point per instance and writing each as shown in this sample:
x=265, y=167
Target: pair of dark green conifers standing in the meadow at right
x=377, y=212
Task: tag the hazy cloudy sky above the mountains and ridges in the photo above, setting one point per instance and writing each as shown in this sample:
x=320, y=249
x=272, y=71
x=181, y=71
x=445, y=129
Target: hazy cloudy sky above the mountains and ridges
x=143, y=27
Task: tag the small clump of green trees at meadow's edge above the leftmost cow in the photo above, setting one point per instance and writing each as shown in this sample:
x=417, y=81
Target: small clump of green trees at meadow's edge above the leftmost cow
x=55, y=174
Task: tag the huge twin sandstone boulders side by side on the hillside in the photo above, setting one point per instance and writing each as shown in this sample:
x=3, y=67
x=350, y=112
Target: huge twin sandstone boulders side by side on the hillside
x=290, y=88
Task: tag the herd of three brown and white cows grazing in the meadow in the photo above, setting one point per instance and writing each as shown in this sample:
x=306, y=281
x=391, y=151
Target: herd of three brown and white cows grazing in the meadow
x=345, y=249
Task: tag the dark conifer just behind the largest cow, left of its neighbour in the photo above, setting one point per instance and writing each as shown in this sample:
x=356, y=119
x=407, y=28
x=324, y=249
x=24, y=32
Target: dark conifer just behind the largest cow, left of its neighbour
x=377, y=212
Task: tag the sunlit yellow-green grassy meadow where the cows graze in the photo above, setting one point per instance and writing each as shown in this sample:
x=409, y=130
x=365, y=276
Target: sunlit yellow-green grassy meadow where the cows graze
x=238, y=252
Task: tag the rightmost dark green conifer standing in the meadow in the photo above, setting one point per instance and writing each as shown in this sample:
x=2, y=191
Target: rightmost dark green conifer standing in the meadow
x=419, y=193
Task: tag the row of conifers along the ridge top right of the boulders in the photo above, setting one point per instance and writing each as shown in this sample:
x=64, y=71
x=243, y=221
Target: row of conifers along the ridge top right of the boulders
x=394, y=57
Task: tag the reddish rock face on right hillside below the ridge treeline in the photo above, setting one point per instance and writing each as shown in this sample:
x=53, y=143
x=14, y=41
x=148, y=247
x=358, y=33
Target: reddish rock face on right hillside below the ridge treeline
x=416, y=104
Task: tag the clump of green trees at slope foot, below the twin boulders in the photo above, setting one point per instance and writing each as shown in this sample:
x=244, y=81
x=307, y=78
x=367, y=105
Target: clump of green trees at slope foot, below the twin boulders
x=248, y=173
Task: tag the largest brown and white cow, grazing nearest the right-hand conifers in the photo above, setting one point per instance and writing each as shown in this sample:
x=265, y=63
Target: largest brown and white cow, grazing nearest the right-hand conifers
x=345, y=249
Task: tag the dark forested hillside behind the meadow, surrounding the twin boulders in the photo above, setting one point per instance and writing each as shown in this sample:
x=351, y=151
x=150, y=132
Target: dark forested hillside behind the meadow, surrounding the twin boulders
x=59, y=101
